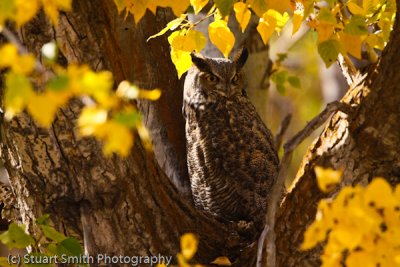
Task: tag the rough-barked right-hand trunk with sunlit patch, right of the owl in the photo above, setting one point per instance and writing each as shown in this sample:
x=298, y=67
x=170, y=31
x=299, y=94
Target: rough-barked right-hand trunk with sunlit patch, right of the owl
x=365, y=143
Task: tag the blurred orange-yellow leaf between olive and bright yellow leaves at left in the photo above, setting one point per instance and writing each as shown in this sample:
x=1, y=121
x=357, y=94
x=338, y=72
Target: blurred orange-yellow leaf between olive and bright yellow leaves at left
x=43, y=107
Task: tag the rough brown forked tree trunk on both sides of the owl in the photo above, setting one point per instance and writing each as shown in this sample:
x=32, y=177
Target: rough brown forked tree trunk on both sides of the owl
x=141, y=204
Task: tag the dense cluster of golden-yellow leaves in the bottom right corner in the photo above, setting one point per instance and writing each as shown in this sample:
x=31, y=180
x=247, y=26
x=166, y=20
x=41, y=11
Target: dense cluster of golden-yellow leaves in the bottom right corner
x=360, y=226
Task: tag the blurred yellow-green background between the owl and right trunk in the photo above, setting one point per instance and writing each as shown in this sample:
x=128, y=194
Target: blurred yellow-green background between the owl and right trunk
x=318, y=86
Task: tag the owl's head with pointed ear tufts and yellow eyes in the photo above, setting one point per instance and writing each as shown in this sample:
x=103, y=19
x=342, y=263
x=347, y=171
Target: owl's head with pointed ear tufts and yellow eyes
x=214, y=78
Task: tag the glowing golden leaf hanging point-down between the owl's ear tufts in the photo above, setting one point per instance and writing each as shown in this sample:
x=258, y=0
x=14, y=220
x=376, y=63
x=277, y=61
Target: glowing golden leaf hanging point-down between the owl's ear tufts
x=221, y=36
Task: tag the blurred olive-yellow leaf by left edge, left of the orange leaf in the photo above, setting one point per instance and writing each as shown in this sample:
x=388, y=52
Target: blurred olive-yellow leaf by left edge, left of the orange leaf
x=17, y=94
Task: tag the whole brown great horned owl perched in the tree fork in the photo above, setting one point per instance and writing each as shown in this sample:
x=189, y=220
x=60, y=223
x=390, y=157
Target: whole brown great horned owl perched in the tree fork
x=231, y=156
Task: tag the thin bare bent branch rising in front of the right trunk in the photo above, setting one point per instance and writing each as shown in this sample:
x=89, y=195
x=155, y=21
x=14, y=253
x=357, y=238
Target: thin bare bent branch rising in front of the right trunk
x=283, y=169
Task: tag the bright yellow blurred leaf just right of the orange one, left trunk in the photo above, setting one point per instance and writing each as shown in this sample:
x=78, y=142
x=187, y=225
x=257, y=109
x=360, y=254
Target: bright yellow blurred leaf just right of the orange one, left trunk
x=90, y=119
